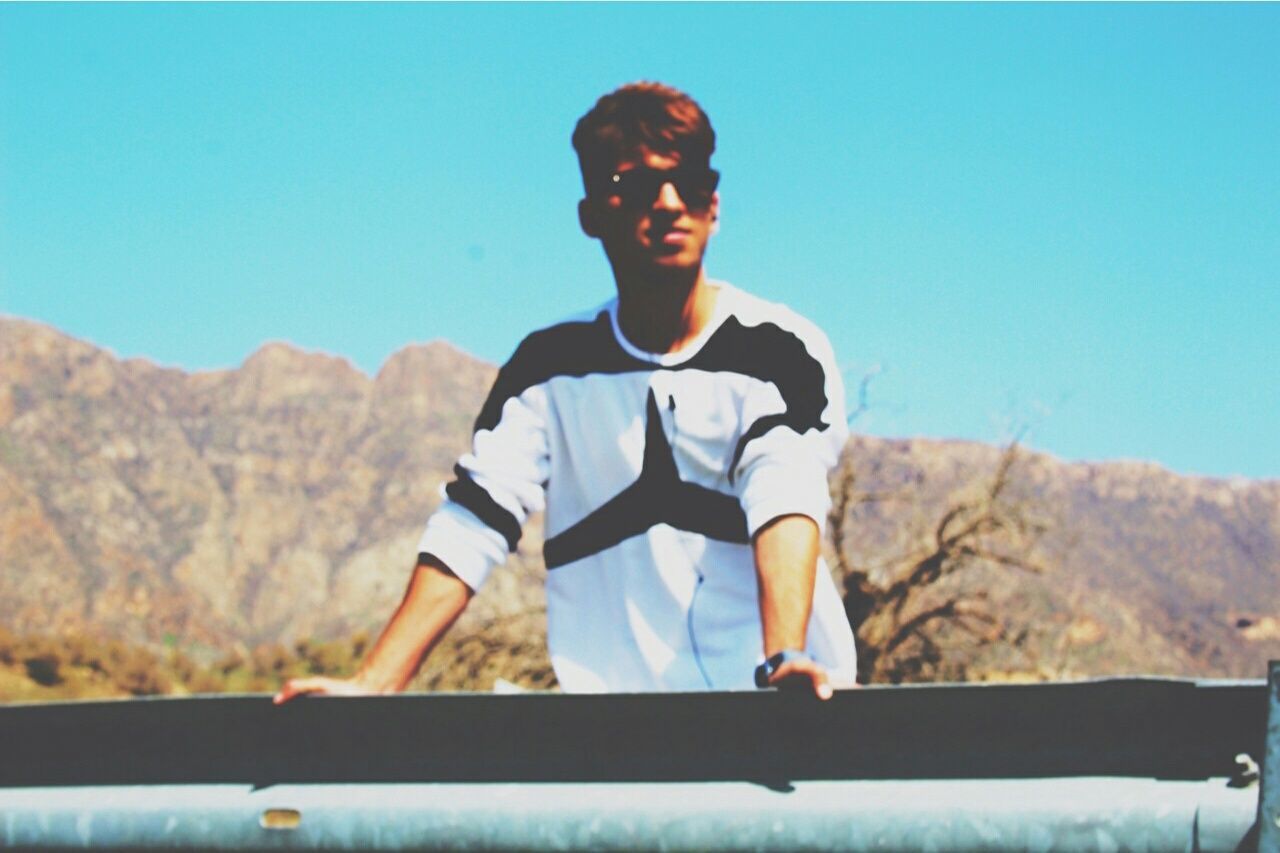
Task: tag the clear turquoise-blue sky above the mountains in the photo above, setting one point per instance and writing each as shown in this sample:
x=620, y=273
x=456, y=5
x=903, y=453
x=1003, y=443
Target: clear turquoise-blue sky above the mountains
x=1058, y=215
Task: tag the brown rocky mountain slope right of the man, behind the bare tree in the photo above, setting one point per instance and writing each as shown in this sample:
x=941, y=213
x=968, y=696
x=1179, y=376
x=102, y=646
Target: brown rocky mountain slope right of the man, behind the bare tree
x=1146, y=571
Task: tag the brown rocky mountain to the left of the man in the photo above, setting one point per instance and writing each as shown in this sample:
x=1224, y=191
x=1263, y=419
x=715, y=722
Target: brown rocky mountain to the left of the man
x=278, y=500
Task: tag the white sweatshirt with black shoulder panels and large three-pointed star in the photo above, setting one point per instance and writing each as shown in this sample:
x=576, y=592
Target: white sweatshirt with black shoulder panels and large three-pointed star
x=655, y=471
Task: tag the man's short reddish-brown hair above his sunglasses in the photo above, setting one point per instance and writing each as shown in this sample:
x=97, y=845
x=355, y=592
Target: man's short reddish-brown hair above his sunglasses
x=642, y=116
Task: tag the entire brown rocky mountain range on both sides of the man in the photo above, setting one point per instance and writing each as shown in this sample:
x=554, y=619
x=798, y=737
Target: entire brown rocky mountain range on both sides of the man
x=285, y=499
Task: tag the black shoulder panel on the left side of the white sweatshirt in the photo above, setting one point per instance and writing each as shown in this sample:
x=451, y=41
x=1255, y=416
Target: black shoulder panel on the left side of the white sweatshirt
x=565, y=350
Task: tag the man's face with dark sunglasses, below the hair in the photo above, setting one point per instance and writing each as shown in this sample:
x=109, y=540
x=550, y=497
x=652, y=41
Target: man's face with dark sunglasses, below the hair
x=643, y=217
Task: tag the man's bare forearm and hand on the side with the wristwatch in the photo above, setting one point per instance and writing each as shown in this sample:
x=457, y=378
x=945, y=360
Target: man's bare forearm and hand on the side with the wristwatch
x=787, y=565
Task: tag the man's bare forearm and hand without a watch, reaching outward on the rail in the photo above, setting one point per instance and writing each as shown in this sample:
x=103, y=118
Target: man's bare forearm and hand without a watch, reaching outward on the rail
x=435, y=599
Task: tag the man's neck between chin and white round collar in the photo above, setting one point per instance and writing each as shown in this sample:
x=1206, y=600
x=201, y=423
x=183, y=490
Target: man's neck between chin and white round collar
x=665, y=316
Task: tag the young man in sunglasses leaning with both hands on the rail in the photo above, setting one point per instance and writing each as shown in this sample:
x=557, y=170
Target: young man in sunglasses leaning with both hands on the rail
x=679, y=439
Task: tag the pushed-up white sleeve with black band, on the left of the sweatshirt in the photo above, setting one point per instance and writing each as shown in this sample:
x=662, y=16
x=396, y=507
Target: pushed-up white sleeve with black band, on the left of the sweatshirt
x=496, y=487
